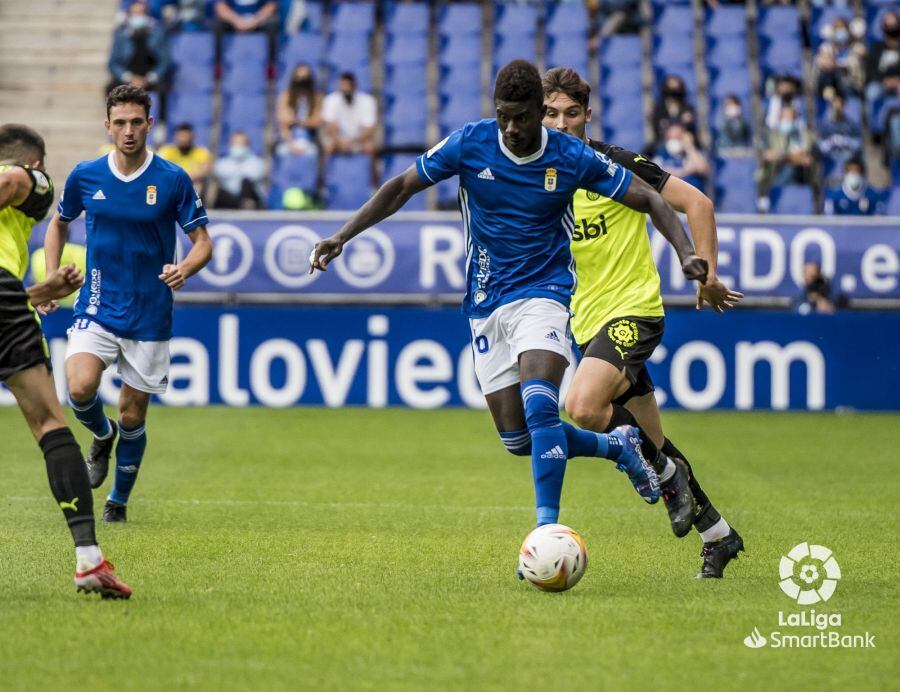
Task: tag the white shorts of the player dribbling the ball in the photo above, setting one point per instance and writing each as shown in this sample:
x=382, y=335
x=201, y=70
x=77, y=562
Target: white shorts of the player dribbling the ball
x=530, y=324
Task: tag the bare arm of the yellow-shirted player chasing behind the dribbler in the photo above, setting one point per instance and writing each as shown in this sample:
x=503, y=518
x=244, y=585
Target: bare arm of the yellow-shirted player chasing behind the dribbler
x=687, y=199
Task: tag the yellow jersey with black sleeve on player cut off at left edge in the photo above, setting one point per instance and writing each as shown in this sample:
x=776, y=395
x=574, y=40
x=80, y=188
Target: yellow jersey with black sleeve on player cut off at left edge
x=16, y=222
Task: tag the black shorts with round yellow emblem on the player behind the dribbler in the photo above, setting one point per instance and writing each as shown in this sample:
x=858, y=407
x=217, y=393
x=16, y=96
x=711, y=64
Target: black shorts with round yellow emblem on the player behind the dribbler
x=627, y=342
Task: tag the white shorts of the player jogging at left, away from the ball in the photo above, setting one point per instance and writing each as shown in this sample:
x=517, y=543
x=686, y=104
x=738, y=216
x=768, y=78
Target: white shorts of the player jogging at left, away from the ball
x=143, y=365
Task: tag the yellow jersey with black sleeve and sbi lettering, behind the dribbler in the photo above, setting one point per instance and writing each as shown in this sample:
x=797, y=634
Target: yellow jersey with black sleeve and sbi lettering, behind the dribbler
x=617, y=276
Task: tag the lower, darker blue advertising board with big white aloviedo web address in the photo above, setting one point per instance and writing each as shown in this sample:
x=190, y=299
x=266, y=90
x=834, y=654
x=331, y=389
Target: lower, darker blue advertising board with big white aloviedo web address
x=421, y=358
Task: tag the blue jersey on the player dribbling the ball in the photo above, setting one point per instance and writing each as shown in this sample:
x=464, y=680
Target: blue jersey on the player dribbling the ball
x=517, y=211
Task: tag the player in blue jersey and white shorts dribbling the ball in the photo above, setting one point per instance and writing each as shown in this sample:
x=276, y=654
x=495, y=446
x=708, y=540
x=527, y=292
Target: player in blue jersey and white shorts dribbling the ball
x=516, y=181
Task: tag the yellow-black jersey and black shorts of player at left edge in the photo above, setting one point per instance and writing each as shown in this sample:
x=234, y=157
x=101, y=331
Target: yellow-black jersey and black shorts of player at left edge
x=22, y=343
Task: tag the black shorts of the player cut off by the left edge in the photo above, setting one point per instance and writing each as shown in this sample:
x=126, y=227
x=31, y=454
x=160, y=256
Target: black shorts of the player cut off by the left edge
x=22, y=343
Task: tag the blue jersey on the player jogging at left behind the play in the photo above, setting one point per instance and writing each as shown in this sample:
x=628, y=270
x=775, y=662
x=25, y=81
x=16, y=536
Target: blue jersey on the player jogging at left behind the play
x=131, y=234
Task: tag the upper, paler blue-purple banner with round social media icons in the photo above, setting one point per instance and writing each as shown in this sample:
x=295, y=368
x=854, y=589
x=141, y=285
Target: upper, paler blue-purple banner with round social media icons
x=422, y=255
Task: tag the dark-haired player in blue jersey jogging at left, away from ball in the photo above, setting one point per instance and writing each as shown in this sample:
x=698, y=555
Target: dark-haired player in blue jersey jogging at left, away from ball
x=132, y=201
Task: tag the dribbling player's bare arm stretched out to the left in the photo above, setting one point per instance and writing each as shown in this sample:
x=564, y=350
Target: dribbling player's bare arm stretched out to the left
x=389, y=199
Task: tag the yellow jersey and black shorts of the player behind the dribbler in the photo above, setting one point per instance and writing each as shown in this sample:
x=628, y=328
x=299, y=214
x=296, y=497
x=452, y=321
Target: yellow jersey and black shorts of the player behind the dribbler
x=617, y=306
